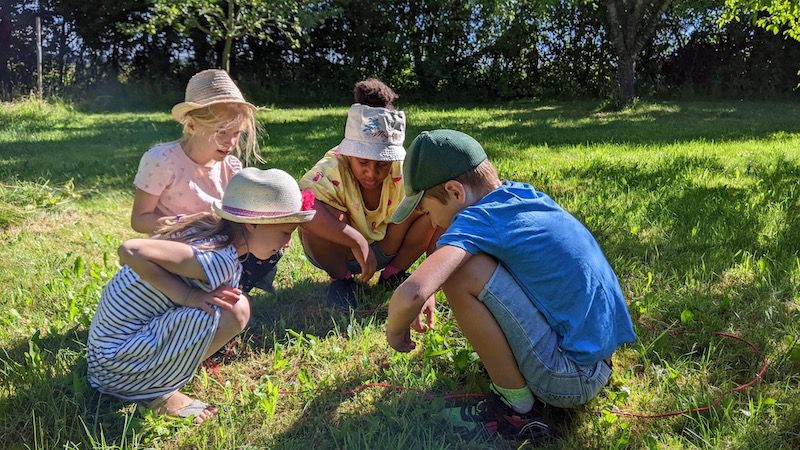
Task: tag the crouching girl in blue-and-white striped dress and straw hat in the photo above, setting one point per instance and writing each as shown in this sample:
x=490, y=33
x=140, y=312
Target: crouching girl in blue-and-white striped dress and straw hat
x=174, y=302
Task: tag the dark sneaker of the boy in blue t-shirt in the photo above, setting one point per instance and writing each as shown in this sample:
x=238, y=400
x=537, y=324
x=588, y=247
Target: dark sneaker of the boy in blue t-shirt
x=492, y=416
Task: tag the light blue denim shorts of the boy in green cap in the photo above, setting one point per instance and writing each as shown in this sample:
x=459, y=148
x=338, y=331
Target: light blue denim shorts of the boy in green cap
x=551, y=375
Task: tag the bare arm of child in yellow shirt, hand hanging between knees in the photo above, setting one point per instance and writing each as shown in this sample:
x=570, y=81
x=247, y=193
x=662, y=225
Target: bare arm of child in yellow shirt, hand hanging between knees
x=327, y=225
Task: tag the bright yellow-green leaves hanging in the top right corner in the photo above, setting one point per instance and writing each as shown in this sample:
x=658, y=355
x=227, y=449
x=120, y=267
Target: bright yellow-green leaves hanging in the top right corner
x=772, y=15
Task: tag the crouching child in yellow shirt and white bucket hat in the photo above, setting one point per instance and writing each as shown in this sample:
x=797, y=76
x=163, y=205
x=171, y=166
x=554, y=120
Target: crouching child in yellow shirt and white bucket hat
x=358, y=186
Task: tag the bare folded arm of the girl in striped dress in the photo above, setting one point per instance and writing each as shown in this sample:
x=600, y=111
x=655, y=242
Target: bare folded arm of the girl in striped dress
x=158, y=261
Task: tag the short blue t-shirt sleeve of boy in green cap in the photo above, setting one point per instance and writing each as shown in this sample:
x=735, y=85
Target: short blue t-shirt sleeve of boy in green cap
x=471, y=231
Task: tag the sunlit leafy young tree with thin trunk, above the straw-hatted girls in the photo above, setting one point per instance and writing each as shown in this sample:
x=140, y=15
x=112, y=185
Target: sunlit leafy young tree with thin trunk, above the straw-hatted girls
x=229, y=20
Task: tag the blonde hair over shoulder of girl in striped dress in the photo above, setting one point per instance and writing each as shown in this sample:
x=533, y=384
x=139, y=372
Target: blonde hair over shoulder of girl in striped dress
x=213, y=231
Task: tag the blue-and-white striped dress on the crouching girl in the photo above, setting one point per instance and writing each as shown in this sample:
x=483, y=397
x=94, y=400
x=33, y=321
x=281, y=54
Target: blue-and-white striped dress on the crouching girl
x=141, y=344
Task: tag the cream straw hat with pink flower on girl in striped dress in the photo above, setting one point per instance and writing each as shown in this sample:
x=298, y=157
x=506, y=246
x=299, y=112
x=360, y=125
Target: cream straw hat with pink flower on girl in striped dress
x=265, y=196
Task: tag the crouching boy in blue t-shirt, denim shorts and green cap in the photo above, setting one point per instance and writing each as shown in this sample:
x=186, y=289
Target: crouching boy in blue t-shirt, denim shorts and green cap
x=527, y=282
